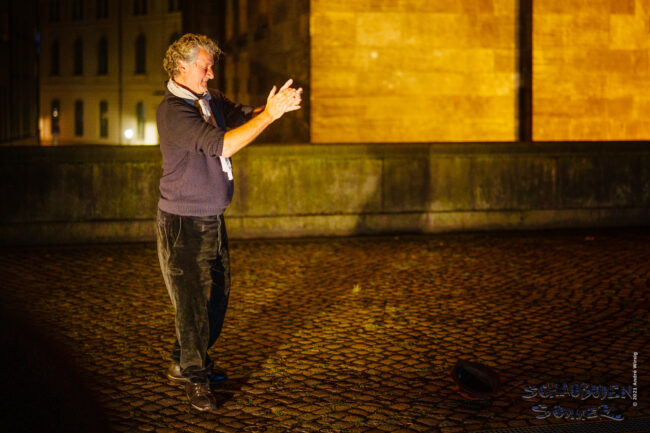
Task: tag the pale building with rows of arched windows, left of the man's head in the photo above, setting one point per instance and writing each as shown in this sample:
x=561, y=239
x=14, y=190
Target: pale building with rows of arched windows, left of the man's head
x=101, y=75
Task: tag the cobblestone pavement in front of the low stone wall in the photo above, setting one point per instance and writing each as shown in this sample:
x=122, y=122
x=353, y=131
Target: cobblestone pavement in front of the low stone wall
x=355, y=334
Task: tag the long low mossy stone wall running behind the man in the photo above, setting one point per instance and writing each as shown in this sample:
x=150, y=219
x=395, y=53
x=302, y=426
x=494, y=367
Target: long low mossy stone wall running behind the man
x=97, y=194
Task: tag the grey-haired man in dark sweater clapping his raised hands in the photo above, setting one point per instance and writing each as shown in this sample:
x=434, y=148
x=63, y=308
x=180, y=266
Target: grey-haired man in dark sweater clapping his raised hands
x=200, y=129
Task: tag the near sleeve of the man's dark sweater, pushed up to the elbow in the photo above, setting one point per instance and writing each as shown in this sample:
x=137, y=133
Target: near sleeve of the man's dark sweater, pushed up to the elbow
x=181, y=125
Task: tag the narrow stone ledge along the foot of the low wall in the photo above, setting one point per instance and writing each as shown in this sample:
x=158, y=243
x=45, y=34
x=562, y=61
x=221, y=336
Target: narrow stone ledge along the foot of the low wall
x=242, y=227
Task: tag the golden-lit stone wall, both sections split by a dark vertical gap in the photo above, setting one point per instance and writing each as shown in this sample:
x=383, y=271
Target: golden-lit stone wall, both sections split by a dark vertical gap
x=436, y=71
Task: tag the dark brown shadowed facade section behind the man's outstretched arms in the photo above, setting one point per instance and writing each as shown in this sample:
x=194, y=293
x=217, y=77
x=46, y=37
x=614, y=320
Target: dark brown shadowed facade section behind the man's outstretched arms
x=265, y=43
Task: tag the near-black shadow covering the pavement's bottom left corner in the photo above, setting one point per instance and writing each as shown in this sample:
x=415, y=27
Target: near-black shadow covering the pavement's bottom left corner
x=43, y=390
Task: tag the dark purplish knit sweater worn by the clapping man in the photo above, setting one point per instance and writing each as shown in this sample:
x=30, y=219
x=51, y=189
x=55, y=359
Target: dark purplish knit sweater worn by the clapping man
x=193, y=182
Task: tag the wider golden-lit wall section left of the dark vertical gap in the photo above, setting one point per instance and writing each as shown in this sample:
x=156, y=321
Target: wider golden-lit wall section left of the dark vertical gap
x=413, y=70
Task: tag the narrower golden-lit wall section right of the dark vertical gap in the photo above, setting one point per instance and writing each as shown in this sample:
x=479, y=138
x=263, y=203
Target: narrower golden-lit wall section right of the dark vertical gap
x=591, y=70
